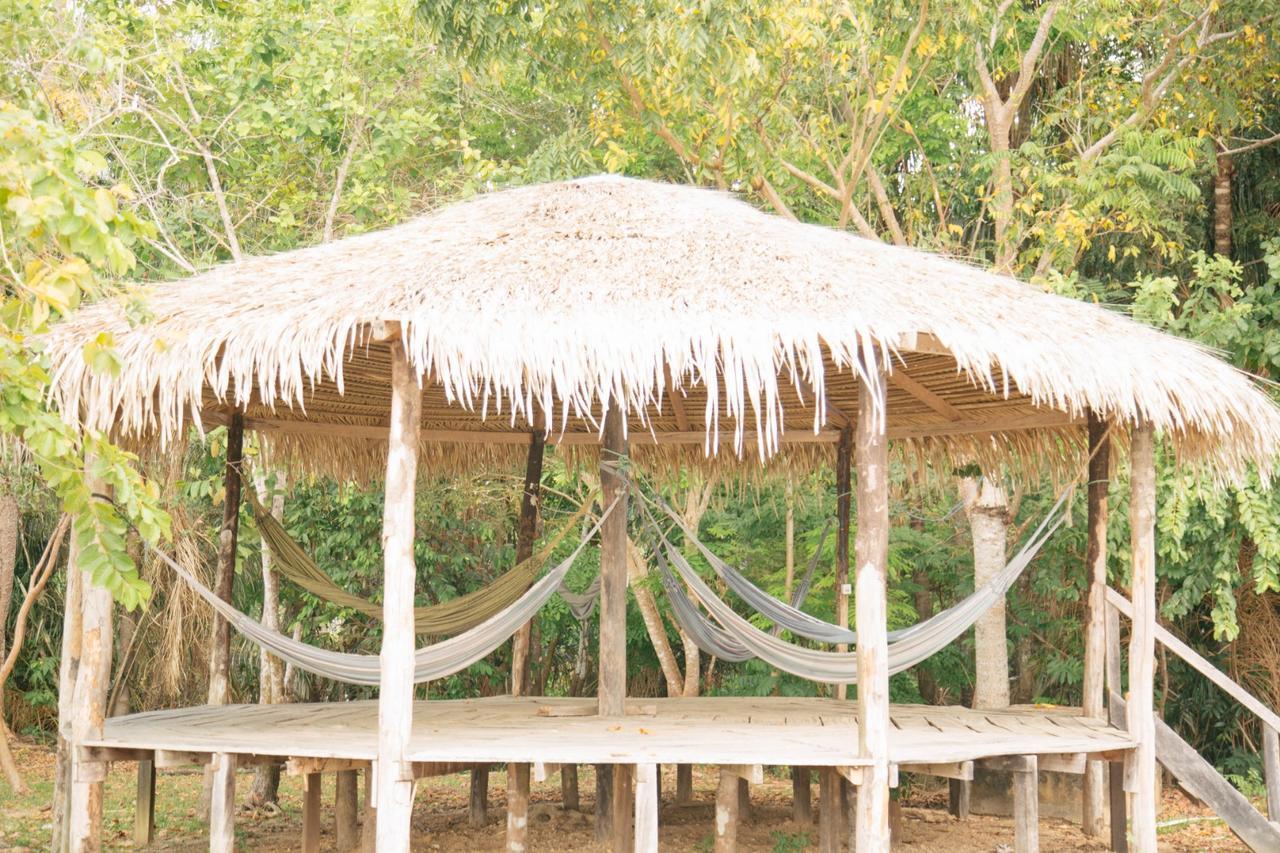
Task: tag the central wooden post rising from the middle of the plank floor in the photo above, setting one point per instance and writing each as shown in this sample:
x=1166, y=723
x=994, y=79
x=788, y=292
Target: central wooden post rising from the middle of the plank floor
x=614, y=565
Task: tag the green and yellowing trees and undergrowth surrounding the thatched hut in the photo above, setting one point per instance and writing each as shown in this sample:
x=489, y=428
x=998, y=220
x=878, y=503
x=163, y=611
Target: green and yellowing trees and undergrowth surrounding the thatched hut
x=1123, y=153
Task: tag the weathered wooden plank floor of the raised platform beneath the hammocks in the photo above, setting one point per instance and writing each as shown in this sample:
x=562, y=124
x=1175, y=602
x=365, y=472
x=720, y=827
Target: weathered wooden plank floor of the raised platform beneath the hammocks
x=683, y=731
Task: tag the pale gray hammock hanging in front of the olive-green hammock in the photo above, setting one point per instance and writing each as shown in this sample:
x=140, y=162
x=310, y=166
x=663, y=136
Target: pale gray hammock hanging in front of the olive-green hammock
x=431, y=663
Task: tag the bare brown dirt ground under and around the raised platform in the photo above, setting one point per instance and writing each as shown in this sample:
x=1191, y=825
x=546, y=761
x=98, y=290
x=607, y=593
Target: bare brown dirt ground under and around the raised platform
x=440, y=822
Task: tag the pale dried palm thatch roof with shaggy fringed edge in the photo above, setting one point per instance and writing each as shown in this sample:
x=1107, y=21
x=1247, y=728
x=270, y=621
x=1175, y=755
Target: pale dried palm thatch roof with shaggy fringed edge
x=719, y=329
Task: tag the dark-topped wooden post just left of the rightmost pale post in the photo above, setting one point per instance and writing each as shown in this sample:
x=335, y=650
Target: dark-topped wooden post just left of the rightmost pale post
x=1095, y=631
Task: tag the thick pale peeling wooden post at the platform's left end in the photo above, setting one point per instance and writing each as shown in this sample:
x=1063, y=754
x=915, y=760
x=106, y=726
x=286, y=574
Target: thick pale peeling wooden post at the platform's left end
x=89, y=706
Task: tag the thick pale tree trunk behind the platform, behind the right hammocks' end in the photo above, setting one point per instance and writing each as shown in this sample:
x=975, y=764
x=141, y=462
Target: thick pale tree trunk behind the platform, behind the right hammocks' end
x=986, y=508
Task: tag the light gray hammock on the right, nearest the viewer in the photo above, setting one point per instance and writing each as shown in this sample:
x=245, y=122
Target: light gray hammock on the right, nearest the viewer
x=735, y=636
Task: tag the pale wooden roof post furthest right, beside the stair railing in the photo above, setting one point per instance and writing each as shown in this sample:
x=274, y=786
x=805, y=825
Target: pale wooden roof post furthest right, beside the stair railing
x=1142, y=635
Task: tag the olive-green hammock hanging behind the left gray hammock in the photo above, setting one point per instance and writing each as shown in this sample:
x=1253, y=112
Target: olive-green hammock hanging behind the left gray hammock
x=447, y=618
